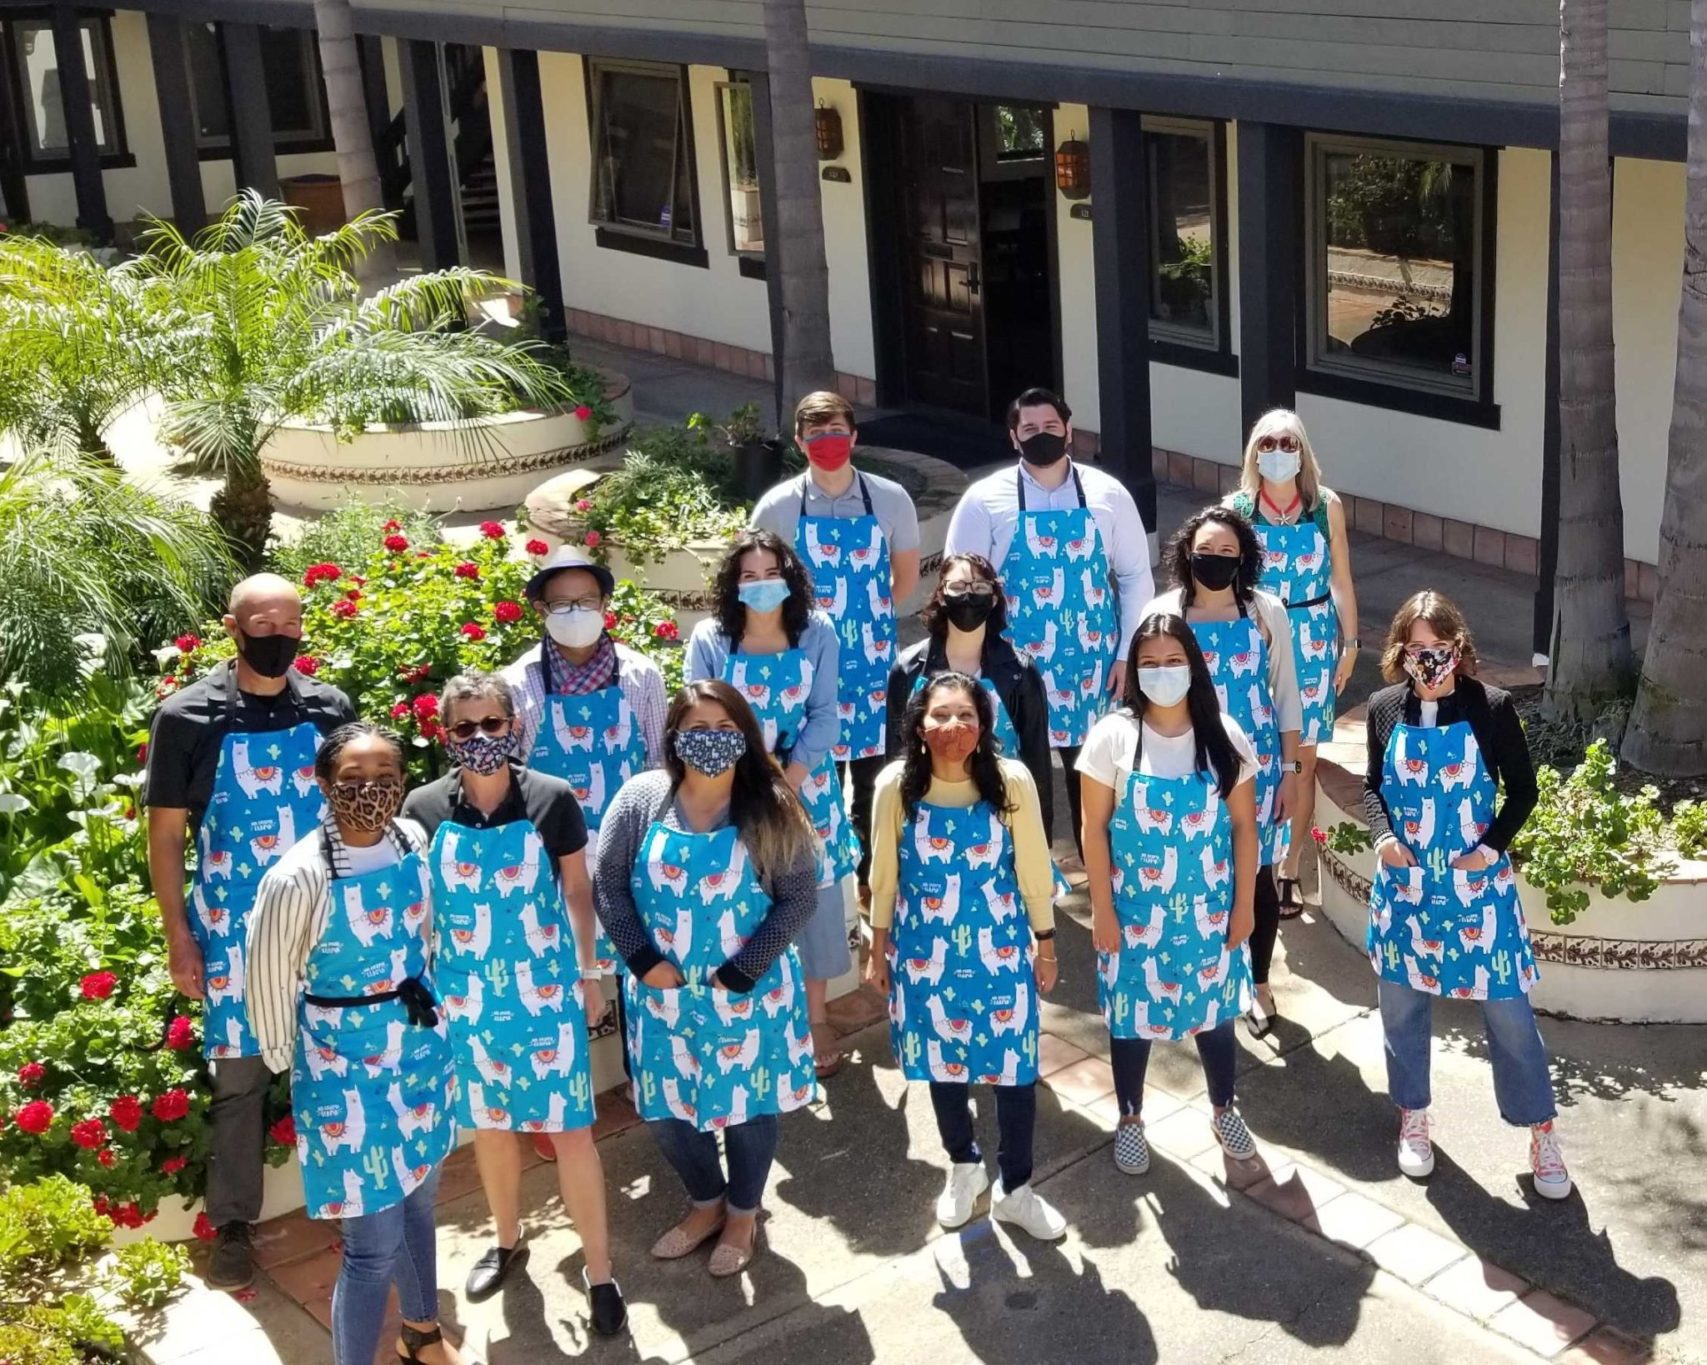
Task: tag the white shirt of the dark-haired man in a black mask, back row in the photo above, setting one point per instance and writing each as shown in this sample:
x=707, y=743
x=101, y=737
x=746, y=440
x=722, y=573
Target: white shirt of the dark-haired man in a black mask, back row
x=987, y=518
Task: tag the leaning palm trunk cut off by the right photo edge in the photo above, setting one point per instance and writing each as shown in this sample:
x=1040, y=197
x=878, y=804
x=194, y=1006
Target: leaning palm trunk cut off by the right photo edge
x=1669, y=729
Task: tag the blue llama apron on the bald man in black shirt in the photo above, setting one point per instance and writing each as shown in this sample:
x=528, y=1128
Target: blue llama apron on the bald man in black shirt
x=265, y=799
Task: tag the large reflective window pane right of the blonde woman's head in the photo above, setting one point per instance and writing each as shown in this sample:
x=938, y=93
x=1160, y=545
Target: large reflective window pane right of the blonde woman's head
x=1401, y=262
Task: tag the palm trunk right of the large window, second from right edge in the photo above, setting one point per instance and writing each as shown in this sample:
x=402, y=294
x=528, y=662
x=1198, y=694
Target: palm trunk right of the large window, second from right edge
x=1590, y=653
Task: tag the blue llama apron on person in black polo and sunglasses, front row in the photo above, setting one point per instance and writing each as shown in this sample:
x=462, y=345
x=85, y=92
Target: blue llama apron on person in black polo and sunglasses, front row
x=504, y=956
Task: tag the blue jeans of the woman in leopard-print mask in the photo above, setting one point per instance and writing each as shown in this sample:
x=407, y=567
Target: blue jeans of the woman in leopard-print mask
x=393, y=1246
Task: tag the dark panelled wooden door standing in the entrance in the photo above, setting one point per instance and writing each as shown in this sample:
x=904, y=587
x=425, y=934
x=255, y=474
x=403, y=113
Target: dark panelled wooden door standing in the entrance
x=943, y=294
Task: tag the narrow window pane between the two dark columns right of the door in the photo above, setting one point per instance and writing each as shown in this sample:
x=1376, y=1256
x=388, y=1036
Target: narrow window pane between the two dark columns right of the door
x=1182, y=233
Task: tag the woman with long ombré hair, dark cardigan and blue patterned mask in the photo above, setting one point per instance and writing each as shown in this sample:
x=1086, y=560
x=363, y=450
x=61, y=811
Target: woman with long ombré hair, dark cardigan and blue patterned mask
x=708, y=873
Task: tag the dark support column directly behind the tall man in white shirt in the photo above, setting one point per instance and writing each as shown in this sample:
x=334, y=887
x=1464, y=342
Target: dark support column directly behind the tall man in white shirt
x=1121, y=238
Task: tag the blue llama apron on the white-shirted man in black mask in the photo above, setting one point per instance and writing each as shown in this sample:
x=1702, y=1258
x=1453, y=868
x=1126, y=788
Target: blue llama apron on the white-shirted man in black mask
x=1063, y=612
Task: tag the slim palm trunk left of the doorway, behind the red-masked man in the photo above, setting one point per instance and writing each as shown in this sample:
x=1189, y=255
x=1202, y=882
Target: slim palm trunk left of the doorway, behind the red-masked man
x=807, y=361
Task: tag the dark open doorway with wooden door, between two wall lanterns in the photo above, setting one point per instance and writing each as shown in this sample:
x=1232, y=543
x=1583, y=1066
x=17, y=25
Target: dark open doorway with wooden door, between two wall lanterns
x=962, y=226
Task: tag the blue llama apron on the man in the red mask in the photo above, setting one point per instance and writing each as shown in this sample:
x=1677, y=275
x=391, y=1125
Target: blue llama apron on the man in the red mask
x=849, y=559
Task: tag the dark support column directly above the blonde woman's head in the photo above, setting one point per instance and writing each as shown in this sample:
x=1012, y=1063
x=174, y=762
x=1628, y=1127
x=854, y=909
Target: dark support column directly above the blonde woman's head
x=1271, y=252
